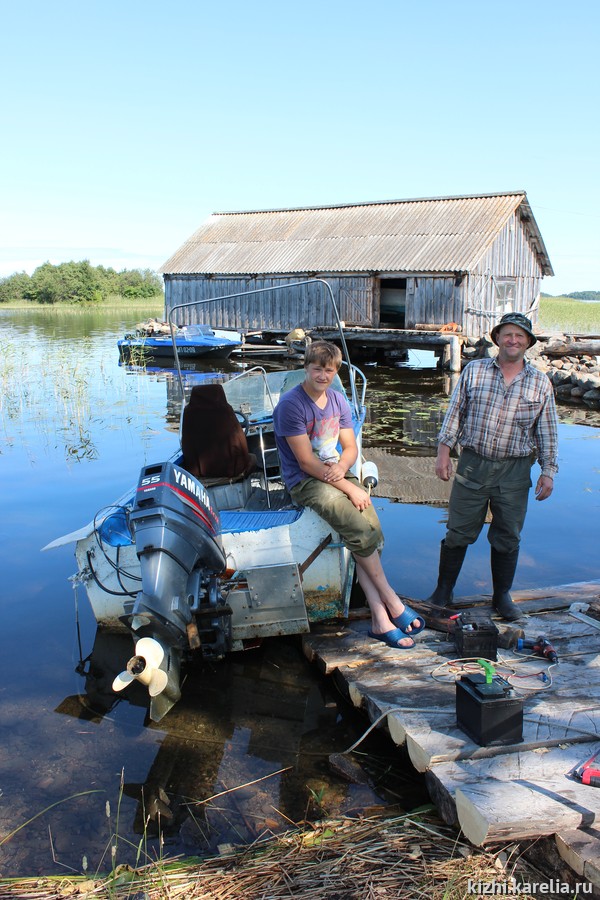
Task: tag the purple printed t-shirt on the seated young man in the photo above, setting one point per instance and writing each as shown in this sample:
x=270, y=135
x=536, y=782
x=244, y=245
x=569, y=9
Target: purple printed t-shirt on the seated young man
x=297, y=414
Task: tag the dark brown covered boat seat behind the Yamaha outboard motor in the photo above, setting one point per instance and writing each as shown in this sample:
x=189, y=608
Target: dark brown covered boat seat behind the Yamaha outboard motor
x=213, y=443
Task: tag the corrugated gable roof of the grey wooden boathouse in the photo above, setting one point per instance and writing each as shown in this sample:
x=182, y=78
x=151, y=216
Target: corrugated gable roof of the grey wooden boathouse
x=439, y=234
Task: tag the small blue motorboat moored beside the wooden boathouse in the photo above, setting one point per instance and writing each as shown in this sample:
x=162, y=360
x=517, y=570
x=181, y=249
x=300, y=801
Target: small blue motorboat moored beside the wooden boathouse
x=153, y=340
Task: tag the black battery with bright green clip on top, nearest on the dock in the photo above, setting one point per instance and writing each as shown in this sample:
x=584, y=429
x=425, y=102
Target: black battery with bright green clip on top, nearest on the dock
x=486, y=711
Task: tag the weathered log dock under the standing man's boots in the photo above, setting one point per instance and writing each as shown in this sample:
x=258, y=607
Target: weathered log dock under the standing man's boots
x=513, y=792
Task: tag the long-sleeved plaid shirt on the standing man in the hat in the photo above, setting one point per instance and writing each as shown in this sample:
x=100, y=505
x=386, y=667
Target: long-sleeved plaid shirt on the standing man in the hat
x=500, y=422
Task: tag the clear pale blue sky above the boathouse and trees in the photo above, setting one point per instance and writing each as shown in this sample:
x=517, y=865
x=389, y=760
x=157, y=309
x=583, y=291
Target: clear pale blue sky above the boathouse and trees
x=125, y=124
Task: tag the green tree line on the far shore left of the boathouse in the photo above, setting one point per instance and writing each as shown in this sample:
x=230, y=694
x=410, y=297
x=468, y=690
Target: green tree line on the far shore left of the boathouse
x=79, y=282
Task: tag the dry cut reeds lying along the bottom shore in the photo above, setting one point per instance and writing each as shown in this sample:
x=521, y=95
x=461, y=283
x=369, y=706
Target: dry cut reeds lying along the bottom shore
x=413, y=855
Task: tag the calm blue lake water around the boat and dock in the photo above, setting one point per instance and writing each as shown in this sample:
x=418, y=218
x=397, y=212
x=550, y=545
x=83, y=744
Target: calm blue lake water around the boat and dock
x=75, y=429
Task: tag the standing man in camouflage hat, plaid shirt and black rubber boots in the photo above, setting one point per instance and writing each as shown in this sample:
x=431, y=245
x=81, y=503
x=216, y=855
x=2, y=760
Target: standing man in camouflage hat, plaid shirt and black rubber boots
x=503, y=415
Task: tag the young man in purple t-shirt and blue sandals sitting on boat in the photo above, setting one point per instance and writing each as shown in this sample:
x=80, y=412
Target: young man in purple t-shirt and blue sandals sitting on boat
x=311, y=422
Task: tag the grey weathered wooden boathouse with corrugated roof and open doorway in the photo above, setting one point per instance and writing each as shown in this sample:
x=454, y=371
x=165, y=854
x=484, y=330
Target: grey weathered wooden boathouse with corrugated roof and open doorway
x=401, y=269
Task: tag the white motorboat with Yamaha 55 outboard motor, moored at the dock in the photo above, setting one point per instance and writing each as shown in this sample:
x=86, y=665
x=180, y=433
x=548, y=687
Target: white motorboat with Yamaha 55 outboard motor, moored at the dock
x=189, y=563
